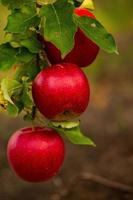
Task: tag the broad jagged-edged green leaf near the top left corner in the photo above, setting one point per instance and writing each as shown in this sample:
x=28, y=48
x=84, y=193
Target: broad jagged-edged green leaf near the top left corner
x=21, y=20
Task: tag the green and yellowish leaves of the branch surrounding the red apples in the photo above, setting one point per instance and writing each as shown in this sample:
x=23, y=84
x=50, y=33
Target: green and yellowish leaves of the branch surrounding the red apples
x=23, y=56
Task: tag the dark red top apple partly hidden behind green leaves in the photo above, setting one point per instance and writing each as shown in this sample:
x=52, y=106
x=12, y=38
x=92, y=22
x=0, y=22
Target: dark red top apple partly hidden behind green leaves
x=84, y=52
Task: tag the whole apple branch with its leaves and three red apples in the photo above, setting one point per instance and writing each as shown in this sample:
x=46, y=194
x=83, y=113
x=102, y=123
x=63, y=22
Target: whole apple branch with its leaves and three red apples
x=46, y=45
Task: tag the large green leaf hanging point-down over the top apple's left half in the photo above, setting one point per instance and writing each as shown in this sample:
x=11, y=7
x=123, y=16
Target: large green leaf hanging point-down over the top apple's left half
x=59, y=27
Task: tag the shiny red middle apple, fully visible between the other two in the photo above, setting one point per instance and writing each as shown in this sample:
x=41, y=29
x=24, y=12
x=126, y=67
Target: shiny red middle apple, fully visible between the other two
x=61, y=92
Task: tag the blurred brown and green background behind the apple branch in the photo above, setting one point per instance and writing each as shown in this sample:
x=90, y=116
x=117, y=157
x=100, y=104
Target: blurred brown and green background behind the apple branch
x=108, y=120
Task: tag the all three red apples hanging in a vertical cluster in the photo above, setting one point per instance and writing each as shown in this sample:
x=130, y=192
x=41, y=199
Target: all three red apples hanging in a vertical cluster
x=60, y=92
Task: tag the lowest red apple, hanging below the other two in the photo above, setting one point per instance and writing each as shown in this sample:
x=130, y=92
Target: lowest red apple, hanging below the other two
x=35, y=154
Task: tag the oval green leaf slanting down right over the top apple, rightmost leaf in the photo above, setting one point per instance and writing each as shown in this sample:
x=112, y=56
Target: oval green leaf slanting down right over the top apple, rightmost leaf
x=95, y=31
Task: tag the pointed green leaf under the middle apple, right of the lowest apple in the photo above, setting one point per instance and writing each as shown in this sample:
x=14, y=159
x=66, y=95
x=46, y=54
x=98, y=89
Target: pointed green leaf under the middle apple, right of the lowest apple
x=74, y=135
